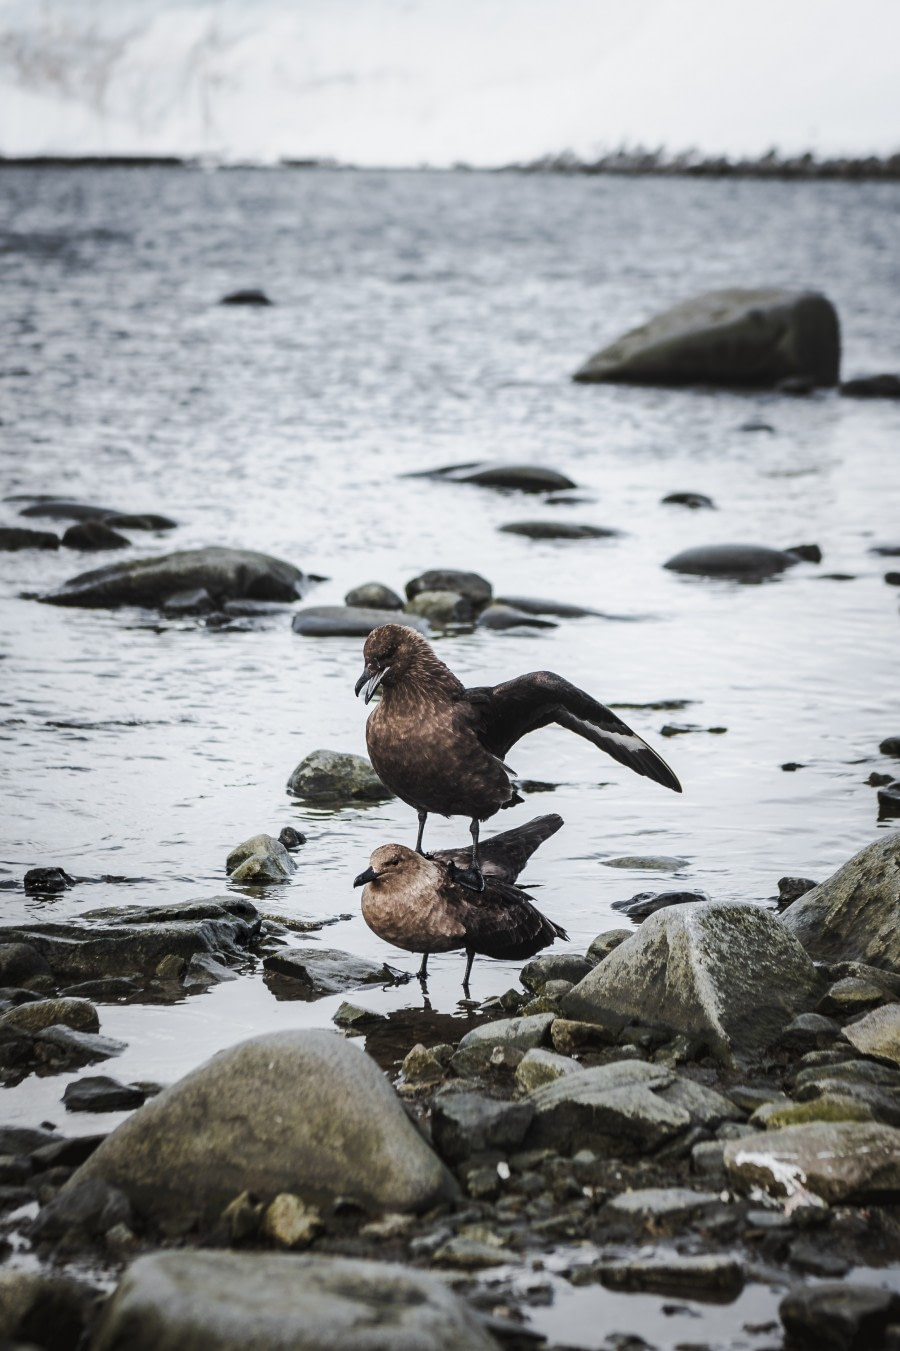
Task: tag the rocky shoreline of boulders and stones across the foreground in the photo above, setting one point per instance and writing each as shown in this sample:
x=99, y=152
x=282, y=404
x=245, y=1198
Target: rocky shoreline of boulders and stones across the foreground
x=703, y=1106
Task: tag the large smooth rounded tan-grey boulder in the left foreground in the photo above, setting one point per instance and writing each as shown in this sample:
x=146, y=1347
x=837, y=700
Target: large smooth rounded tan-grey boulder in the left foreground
x=302, y=1111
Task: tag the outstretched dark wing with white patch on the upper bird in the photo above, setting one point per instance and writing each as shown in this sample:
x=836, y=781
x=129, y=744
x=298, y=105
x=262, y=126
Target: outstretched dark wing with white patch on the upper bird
x=507, y=713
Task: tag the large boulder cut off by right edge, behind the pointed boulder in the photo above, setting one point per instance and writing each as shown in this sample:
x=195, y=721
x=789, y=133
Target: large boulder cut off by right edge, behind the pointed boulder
x=856, y=914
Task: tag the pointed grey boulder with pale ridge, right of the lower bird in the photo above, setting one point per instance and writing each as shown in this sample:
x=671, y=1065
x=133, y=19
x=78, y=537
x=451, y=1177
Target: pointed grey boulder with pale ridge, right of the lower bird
x=729, y=976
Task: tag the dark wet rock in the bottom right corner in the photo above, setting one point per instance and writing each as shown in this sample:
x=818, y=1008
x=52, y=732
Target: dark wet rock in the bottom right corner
x=840, y=1317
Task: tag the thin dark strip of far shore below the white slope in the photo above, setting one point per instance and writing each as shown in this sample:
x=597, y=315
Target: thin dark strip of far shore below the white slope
x=628, y=163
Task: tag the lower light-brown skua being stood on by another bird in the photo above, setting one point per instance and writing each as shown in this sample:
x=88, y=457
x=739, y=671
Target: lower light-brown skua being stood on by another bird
x=417, y=903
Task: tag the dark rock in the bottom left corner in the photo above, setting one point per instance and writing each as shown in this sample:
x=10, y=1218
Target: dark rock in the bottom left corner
x=45, y=1311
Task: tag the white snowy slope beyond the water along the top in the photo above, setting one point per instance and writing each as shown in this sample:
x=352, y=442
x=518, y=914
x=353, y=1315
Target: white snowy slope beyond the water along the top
x=411, y=82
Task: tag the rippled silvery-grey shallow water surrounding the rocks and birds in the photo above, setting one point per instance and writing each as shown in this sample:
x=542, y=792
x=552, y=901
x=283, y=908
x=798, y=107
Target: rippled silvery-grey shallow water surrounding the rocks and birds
x=424, y=320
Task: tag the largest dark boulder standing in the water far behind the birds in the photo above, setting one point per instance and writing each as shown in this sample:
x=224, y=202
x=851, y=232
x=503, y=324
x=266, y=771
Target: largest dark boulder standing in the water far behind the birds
x=729, y=337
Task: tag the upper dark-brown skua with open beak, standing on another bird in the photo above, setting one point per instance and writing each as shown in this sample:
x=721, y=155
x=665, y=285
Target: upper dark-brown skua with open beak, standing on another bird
x=441, y=748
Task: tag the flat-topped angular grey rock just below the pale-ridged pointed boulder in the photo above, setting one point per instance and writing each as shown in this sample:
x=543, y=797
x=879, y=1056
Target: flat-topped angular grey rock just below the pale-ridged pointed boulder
x=610, y=1108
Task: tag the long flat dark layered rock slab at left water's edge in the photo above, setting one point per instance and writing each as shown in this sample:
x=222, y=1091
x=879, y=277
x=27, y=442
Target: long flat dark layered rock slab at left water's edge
x=137, y=938
